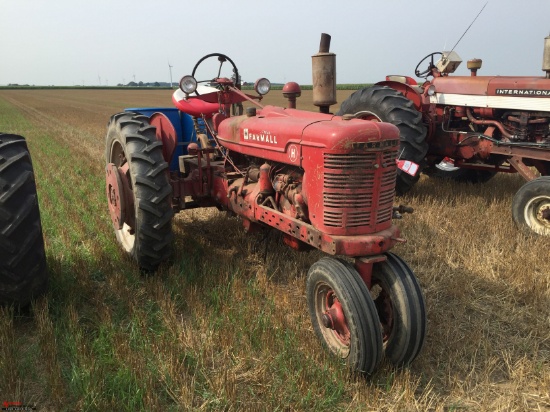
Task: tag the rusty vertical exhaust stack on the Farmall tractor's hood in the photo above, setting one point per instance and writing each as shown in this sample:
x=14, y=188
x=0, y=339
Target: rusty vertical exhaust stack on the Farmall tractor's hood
x=324, y=76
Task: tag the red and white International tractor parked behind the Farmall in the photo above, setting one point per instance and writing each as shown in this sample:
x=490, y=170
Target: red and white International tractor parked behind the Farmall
x=468, y=128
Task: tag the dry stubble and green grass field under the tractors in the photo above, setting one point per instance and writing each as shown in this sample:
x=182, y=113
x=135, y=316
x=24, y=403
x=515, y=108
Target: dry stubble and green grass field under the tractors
x=226, y=326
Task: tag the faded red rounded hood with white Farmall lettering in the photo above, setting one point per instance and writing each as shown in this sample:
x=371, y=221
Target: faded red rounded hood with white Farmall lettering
x=280, y=134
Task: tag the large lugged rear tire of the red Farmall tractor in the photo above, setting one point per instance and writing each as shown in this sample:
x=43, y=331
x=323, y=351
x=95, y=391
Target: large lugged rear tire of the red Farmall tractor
x=146, y=235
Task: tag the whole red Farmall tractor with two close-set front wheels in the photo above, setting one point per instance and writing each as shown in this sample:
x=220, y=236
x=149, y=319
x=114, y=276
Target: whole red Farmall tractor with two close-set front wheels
x=324, y=181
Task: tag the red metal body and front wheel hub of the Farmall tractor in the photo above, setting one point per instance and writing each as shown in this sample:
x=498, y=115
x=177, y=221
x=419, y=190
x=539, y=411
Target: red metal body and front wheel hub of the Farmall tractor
x=324, y=181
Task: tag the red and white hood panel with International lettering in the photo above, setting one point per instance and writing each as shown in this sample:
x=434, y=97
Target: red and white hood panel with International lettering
x=521, y=93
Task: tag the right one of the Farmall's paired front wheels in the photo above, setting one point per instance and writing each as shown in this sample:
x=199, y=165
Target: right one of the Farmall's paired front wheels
x=401, y=309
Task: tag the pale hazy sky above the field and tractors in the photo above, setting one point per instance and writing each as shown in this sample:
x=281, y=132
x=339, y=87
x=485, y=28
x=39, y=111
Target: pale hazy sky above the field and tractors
x=106, y=42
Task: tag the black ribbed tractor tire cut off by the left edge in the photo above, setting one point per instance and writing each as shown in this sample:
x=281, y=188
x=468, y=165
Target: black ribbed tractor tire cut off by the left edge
x=23, y=270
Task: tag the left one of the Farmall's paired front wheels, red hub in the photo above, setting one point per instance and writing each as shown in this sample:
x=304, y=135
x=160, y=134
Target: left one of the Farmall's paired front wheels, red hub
x=355, y=333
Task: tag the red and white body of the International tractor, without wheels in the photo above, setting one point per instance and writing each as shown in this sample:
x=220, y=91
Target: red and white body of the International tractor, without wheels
x=475, y=120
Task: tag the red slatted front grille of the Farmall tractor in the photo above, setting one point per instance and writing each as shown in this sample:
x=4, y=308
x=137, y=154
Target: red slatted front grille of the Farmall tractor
x=358, y=189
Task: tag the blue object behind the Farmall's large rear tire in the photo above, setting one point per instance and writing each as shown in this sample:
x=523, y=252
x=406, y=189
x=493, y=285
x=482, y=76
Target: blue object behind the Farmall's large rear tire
x=183, y=125
